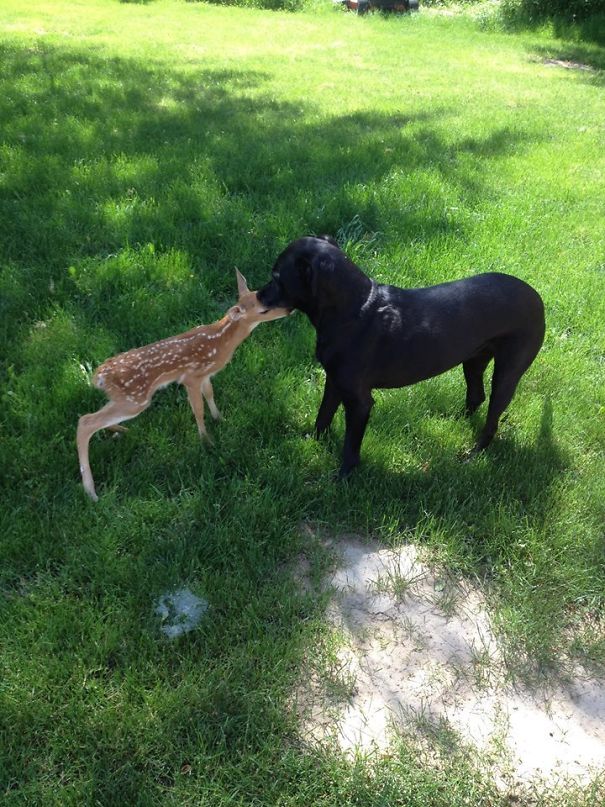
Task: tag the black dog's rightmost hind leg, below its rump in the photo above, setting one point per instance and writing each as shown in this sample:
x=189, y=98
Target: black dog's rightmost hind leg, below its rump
x=511, y=361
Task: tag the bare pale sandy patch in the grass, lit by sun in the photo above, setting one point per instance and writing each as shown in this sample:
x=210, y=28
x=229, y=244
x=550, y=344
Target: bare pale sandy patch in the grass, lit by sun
x=418, y=651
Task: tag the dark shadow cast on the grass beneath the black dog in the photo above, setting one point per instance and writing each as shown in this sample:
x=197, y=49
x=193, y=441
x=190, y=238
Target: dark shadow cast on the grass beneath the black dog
x=502, y=489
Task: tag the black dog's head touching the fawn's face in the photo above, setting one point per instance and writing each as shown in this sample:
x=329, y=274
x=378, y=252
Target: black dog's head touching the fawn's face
x=312, y=273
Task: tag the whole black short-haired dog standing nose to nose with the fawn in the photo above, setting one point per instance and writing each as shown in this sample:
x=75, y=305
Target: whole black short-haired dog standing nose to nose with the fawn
x=372, y=336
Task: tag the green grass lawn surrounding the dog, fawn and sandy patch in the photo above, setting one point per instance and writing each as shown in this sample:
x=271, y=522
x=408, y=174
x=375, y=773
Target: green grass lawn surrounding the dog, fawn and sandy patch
x=148, y=149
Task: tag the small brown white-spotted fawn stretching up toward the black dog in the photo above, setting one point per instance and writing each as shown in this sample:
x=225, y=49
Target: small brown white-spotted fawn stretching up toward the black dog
x=131, y=379
